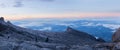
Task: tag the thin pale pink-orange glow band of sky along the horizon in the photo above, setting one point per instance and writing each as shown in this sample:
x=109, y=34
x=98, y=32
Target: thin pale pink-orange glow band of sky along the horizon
x=73, y=15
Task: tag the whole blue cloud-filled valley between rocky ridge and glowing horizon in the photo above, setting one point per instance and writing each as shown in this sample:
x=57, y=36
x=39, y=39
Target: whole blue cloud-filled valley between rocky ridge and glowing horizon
x=98, y=28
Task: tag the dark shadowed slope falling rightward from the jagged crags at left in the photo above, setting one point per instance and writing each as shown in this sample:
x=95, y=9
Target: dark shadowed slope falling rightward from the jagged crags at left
x=8, y=30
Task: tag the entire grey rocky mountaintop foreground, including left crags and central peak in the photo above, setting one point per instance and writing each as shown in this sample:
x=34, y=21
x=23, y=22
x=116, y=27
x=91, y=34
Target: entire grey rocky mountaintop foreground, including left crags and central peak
x=13, y=37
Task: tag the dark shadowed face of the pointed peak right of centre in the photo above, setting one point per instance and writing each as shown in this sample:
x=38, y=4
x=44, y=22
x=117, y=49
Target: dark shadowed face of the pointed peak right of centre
x=81, y=37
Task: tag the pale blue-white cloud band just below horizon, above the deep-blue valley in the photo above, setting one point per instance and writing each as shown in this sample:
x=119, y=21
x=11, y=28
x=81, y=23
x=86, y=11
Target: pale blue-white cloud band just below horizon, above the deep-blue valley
x=53, y=24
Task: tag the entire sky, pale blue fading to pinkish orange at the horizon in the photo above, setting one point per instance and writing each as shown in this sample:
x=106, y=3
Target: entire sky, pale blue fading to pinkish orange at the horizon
x=26, y=9
